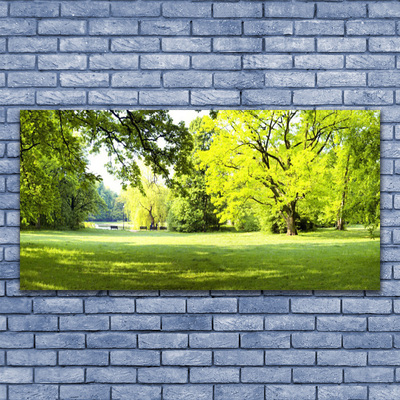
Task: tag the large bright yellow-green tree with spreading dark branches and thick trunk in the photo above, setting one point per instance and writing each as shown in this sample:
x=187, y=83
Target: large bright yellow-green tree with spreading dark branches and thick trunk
x=272, y=158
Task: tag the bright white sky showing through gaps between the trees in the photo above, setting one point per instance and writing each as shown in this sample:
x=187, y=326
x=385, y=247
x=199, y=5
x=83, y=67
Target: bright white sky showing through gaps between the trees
x=97, y=161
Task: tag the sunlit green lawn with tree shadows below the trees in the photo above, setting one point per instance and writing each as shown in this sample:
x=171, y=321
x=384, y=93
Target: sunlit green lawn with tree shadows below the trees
x=97, y=259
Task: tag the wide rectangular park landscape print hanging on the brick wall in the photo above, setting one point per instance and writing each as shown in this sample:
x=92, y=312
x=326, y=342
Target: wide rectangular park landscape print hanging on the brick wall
x=200, y=200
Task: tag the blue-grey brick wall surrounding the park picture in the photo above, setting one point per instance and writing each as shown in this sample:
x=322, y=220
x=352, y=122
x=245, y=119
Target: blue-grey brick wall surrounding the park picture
x=199, y=345
